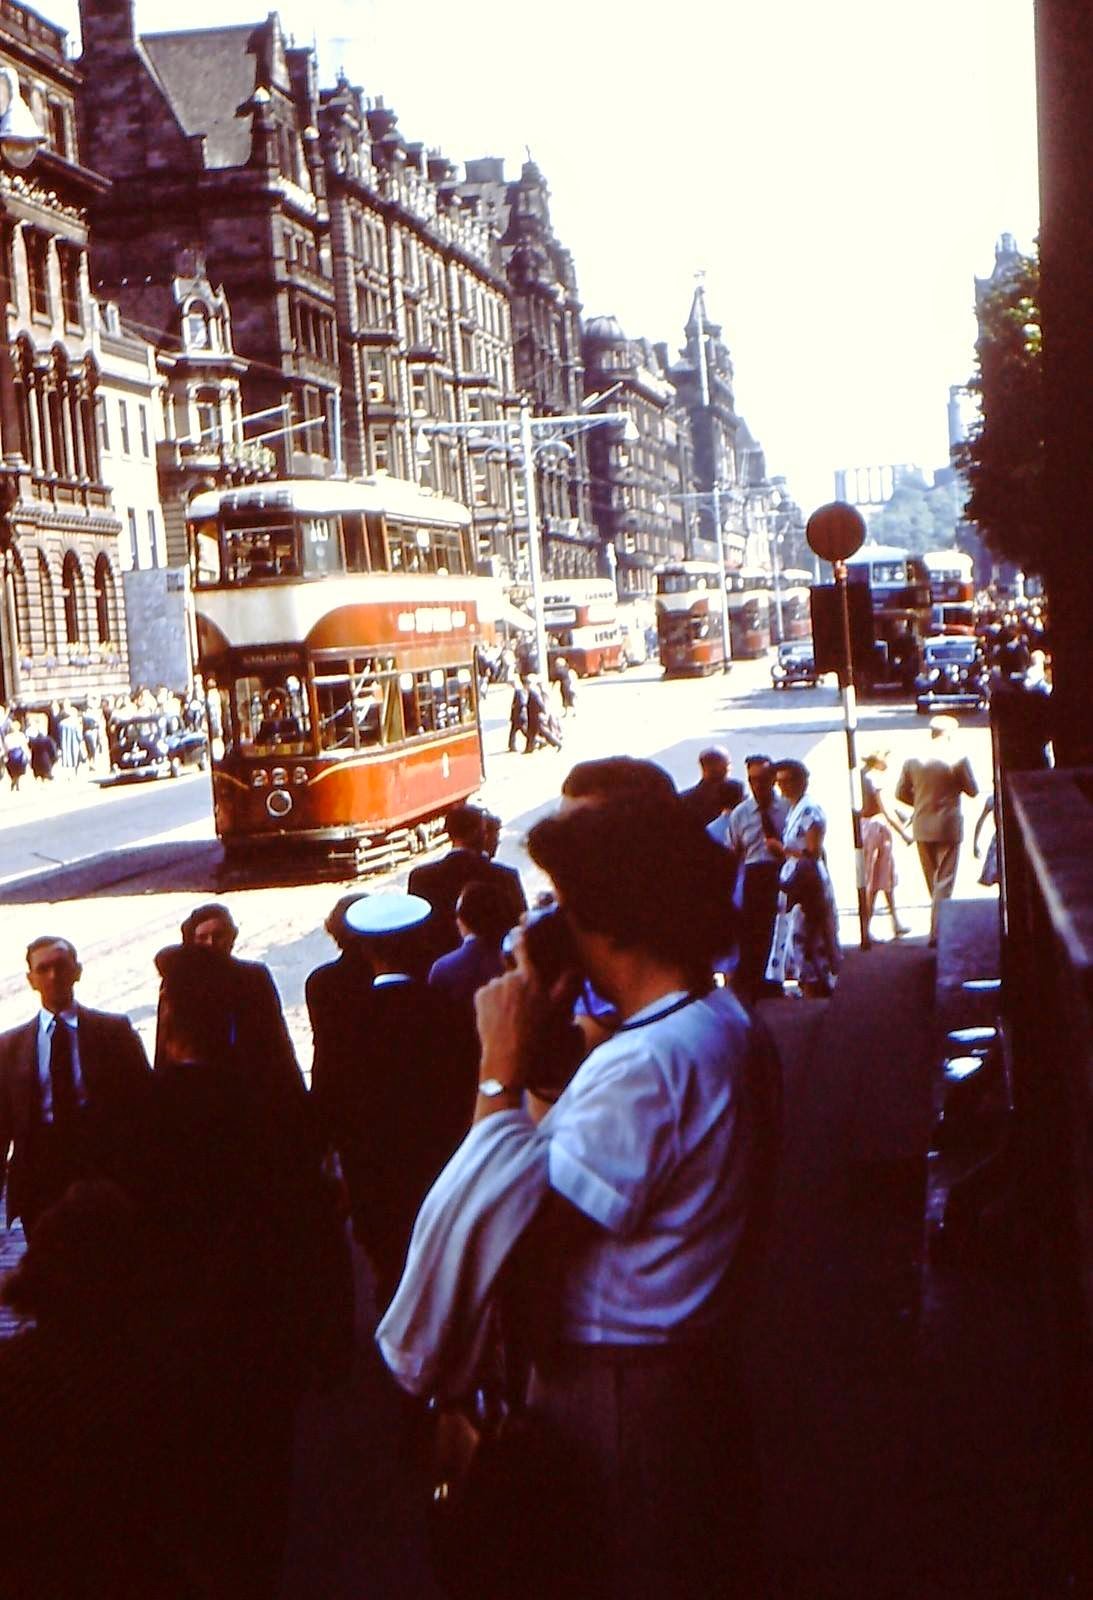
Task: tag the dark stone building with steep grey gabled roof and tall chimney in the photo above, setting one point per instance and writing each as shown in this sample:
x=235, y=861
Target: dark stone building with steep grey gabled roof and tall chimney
x=212, y=143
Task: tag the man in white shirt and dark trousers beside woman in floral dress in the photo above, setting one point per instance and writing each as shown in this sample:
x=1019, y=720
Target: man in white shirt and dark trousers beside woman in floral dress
x=758, y=818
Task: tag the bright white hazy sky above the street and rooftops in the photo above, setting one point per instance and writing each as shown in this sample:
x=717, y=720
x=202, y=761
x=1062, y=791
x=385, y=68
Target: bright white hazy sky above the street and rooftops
x=841, y=172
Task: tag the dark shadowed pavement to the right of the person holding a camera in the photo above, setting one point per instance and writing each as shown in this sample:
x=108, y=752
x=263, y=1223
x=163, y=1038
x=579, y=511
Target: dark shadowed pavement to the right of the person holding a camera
x=908, y=1415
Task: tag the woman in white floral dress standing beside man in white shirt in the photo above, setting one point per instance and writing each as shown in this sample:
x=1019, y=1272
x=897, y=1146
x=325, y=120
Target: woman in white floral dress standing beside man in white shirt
x=806, y=942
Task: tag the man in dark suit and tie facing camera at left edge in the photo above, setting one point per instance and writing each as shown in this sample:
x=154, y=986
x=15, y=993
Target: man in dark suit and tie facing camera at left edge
x=74, y=1092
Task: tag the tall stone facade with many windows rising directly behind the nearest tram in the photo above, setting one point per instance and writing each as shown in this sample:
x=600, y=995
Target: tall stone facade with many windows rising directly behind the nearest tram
x=423, y=316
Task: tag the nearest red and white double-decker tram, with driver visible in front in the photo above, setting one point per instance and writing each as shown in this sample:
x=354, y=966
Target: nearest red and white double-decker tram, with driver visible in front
x=335, y=638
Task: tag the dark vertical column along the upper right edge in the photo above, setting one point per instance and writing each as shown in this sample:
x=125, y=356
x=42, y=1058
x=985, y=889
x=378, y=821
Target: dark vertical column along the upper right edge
x=1065, y=87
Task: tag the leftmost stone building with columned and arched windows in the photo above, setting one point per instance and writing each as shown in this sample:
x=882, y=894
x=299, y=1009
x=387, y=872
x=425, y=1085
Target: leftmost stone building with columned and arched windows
x=62, y=620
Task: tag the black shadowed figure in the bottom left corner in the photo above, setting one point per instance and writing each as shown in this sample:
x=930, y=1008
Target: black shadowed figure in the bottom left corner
x=90, y=1407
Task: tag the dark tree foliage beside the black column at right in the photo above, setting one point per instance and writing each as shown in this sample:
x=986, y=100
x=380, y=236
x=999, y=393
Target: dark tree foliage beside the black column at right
x=1004, y=457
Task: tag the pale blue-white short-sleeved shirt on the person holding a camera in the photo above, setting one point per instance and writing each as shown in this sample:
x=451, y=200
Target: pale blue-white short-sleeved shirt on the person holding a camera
x=651, y=1142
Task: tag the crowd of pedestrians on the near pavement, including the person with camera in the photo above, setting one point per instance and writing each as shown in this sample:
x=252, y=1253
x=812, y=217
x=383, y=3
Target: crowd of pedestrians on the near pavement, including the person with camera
x=553, y=1135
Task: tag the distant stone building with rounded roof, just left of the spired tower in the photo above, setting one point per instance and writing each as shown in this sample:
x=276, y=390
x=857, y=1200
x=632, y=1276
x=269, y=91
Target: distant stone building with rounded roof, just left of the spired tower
x=638, y=486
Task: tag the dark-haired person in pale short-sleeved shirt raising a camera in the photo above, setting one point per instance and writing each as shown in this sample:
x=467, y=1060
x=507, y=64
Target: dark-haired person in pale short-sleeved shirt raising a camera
x=660, y=1159
